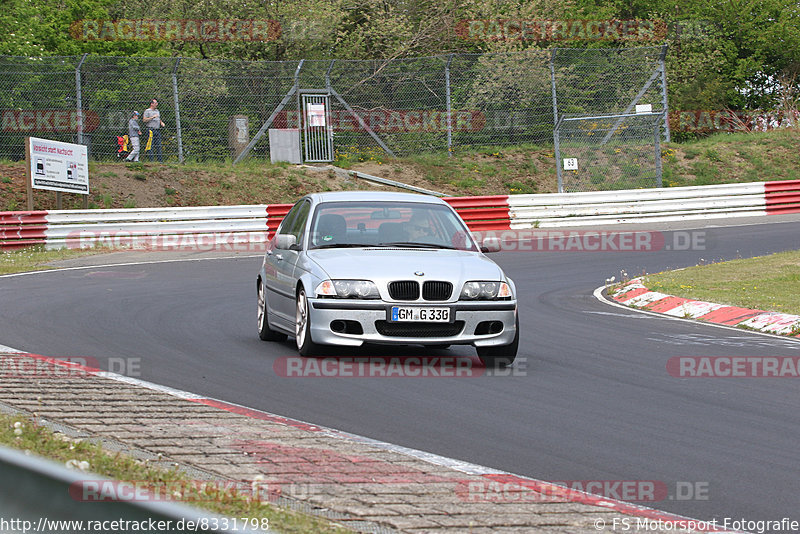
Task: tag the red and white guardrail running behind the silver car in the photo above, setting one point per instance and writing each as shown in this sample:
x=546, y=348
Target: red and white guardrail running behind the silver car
x=222, y=225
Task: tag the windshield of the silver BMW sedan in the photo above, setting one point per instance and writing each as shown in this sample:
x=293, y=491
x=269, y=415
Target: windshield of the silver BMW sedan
x=384, y=224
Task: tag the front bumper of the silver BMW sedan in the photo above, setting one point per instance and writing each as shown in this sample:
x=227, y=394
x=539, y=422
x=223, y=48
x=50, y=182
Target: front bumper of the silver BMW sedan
x=324, y=312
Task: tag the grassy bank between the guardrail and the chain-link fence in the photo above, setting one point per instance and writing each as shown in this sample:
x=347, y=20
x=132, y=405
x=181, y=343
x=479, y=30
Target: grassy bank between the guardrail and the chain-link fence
x=721, y=158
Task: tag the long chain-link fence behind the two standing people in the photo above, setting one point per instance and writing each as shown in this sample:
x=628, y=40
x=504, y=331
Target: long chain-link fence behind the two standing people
x=404, y=106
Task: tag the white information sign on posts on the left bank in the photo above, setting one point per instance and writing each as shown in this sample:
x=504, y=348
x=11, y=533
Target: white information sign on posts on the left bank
x=59, y=166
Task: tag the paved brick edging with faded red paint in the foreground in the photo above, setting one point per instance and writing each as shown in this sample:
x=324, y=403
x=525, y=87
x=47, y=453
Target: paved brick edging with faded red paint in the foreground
x=368, y=486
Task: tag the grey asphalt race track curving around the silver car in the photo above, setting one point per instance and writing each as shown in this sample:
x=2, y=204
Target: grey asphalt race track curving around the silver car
x=591, y=399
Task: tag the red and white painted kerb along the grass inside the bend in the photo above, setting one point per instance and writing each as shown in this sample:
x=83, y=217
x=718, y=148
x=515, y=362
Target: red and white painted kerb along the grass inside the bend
x=636, y=295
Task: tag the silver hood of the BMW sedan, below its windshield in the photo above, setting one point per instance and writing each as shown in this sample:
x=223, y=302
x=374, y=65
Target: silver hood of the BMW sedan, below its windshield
x=403, y=264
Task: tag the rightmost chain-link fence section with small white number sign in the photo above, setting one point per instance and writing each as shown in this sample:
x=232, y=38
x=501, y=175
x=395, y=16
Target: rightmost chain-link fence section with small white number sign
x=611, y=115
